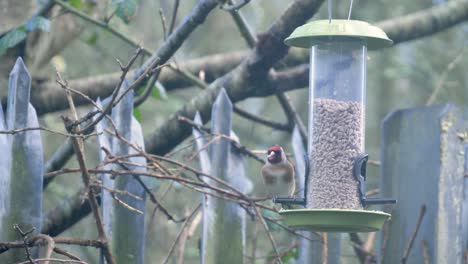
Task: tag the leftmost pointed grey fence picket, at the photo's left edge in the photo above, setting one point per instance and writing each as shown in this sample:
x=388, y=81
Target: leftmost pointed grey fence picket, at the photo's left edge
x=23, y=180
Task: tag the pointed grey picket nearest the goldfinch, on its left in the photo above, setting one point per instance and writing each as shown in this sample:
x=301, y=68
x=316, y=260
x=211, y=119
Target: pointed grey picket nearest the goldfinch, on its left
x=222, y=219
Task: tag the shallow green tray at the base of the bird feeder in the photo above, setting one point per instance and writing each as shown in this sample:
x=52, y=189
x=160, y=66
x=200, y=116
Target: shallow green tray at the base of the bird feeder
x=334, y=220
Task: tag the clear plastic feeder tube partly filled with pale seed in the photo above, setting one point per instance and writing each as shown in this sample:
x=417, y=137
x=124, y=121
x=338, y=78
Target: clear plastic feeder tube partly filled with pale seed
x=336, y=121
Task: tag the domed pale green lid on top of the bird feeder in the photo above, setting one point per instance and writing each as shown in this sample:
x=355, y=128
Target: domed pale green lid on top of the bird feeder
x=321, y=31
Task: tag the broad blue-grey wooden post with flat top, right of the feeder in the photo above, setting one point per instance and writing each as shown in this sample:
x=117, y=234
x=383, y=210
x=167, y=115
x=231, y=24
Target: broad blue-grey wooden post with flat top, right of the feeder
x=423, y=164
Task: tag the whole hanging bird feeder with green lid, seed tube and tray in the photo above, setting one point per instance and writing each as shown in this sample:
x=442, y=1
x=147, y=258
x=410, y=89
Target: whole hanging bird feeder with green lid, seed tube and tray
x=335, y=191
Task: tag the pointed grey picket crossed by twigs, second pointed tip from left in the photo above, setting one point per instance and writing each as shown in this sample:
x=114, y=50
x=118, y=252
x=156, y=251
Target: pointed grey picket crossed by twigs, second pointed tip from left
x=128, y=228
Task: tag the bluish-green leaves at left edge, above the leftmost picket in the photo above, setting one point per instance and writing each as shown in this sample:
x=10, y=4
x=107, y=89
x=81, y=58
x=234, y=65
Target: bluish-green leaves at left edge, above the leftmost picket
x=15, y=36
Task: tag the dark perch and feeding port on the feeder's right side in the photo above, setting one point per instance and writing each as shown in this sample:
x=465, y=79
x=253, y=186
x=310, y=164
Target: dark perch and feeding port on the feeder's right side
x=359, y=172
